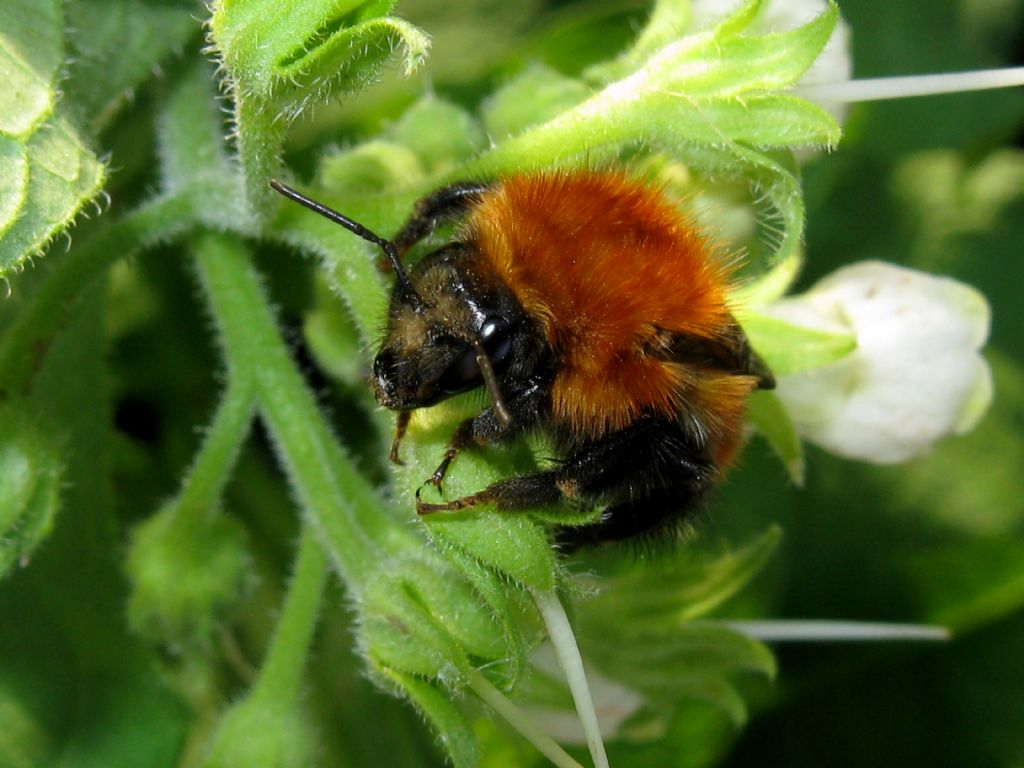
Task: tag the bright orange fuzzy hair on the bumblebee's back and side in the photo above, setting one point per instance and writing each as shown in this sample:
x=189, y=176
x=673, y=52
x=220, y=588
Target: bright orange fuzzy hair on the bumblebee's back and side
x=607, y=267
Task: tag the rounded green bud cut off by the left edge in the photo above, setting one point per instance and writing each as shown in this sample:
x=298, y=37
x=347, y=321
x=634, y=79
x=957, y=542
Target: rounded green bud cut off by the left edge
x=30, y=486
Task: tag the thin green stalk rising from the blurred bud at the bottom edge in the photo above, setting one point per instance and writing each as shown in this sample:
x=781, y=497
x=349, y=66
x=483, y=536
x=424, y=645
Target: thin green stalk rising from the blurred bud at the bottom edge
x=280, y=679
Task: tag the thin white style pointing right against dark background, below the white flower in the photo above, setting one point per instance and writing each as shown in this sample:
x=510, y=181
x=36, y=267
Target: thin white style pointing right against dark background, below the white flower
x=803, y=631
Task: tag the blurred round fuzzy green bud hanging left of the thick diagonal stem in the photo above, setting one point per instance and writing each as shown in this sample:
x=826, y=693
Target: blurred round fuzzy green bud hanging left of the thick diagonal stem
x=188, y=572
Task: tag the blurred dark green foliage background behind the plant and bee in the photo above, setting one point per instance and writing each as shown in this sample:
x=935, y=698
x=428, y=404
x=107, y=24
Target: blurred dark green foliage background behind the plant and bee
x=935, y=184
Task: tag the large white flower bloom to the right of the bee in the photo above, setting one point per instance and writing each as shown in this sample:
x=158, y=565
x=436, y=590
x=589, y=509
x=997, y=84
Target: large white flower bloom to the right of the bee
x=916, y=376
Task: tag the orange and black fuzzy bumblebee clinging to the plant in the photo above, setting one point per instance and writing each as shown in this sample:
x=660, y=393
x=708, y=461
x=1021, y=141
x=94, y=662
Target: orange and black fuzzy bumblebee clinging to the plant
x=591, y=310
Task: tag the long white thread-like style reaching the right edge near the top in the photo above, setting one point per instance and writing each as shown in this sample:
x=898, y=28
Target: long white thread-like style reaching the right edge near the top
x=912, y=86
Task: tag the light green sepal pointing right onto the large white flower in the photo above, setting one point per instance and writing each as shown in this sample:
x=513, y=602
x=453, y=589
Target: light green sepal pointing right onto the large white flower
x=792, y=350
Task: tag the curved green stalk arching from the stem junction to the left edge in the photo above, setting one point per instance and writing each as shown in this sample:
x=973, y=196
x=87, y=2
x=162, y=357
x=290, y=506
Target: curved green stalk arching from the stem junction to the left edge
x=32, y=330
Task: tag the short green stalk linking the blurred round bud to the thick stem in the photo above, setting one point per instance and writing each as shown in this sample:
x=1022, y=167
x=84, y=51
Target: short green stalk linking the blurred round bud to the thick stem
x=203, y=487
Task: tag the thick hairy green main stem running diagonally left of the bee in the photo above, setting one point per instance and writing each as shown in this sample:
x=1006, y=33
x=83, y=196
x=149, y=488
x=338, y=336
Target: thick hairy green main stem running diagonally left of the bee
x=334, y=497
